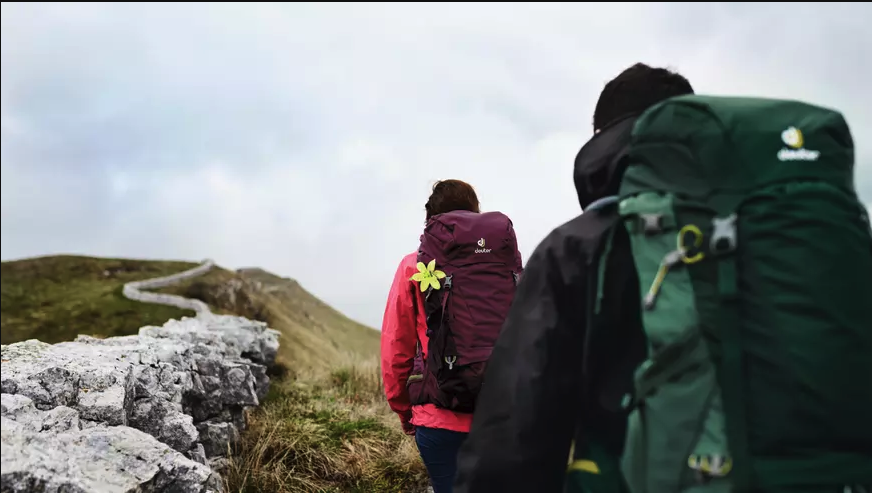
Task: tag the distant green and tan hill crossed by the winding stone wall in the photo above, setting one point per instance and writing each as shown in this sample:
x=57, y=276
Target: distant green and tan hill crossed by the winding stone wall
x=56, y=298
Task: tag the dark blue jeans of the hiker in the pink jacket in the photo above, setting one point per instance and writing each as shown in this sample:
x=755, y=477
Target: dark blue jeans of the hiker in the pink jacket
x=439, y=450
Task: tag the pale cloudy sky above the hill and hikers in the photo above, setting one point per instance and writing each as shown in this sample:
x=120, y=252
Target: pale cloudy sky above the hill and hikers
x=304, y=138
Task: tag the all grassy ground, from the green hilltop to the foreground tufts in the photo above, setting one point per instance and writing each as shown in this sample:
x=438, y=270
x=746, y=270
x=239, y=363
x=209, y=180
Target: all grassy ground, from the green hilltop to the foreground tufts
x=324, y=427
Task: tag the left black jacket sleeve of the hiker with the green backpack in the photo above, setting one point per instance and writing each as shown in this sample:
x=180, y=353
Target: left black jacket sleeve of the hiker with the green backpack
x=528, y=405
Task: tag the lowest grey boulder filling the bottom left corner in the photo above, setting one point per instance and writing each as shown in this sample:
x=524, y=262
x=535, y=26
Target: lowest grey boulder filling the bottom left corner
x=94, y=460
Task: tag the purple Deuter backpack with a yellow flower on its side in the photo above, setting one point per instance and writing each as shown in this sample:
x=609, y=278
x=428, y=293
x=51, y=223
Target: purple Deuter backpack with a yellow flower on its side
x=471, y=266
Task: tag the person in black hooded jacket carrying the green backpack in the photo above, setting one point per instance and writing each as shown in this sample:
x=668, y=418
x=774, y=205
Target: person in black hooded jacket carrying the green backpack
x=548, y=383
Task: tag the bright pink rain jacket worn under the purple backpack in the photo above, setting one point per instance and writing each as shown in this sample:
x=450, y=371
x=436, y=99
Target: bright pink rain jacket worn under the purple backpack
x=402, y=327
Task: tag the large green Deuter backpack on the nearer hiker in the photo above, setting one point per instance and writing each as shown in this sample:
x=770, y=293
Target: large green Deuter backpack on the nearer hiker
x=754, y=257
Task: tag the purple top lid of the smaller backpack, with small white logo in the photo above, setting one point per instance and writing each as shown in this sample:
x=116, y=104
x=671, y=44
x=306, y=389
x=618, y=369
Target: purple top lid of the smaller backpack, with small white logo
x=468, y=237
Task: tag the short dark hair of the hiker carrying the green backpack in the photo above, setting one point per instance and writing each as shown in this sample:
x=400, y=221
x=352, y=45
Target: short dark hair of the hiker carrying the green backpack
x=635, y=90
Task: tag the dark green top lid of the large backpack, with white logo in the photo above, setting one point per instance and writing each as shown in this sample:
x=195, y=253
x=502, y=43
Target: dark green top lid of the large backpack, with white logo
x=705, y=145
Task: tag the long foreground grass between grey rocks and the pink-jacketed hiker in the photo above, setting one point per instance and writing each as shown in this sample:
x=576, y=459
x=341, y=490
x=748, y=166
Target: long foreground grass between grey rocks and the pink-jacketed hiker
x=327, y=432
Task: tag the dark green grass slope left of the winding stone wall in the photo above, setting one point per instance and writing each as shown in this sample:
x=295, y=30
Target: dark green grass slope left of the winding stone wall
x=55, y=299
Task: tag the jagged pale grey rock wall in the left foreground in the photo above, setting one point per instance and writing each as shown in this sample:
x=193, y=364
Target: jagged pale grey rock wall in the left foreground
x=135, y=413
